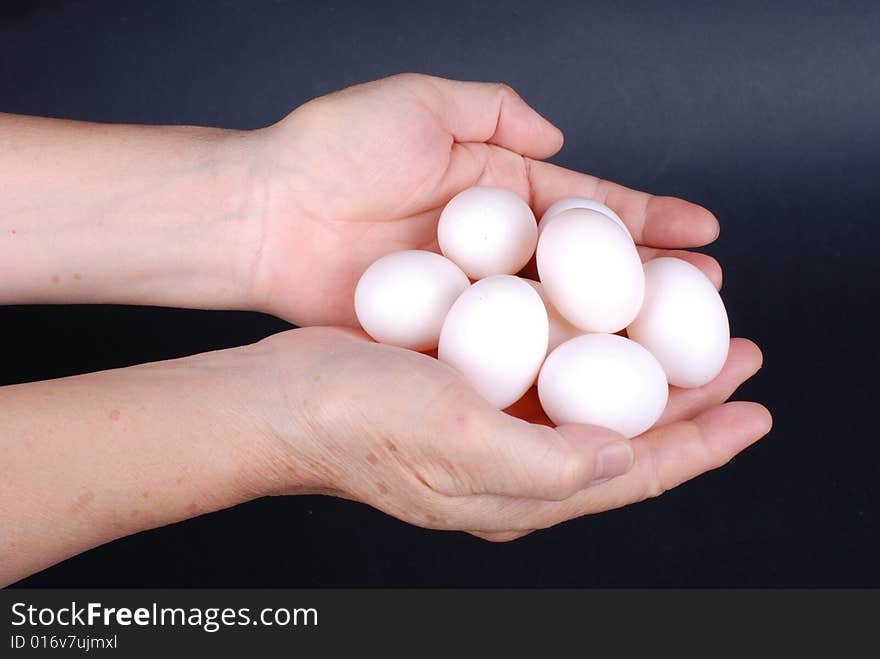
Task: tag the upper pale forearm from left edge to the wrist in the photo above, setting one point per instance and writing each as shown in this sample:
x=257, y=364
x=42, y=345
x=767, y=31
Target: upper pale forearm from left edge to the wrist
x=94, y=213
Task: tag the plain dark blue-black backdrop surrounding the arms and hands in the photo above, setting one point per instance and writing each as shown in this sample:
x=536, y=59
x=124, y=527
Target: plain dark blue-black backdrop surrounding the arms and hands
x=767, y=113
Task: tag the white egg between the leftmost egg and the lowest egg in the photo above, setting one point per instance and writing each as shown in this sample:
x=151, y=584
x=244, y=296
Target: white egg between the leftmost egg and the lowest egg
x=495, y=335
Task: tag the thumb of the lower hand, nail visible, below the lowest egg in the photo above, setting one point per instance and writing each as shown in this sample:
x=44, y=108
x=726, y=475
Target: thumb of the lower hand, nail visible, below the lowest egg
x=503, y=455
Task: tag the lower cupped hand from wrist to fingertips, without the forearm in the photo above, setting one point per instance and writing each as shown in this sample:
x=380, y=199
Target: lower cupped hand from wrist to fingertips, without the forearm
x=404, y=433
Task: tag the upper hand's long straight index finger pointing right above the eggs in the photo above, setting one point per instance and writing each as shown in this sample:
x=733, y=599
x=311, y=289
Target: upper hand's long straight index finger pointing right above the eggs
x=652, y=220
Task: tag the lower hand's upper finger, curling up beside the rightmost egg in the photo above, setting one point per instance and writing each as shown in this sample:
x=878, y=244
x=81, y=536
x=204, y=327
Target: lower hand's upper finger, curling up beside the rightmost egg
x=743, y=360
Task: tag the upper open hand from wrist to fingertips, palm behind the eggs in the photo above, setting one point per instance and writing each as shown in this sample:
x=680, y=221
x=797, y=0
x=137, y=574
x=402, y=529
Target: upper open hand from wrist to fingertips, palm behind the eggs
x=357, y=174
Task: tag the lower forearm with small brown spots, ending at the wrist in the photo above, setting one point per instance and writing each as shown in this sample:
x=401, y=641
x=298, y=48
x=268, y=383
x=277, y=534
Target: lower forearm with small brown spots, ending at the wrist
x=87, y=459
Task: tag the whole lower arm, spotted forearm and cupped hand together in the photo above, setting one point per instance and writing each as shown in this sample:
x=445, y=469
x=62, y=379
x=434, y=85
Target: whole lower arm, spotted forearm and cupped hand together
x=322, y=410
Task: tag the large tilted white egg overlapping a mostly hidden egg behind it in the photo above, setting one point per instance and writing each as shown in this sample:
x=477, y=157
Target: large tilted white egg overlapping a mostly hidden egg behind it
x=591, y=270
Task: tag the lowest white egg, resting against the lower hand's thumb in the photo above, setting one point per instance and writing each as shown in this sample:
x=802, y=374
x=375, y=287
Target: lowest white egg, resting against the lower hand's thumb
x=603, y=380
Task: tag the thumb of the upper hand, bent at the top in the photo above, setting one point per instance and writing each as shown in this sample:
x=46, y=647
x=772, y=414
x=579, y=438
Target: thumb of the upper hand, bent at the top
x=492, y=113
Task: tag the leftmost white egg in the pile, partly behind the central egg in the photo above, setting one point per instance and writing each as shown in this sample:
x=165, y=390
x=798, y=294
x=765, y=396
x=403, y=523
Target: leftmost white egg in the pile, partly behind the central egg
x=403, y=298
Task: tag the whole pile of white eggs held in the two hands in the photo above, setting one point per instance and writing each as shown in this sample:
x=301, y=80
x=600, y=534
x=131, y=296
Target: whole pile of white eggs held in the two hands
x=503, y=332
